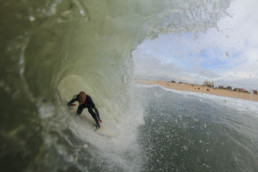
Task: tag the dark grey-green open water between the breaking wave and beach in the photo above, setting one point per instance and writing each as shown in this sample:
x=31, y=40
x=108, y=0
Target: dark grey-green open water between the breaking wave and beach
x=195, y=132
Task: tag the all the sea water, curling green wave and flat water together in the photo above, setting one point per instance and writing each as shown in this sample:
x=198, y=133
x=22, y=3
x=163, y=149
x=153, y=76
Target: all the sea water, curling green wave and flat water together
x=51, y=50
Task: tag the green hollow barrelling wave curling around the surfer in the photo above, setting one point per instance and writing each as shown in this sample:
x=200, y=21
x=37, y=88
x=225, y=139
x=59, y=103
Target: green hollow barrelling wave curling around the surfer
x=57, y=48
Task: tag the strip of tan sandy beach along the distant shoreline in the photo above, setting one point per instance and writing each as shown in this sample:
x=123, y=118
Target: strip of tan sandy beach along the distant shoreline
x=200, y=89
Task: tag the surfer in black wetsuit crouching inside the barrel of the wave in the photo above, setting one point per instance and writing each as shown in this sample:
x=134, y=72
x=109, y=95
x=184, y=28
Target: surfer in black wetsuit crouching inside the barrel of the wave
x=85, y=101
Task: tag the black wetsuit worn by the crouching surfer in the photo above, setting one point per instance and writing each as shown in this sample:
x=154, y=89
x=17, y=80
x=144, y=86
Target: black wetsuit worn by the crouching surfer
x=87, y=104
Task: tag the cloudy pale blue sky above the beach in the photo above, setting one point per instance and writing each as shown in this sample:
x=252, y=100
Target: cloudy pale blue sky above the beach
x=226, y=55
